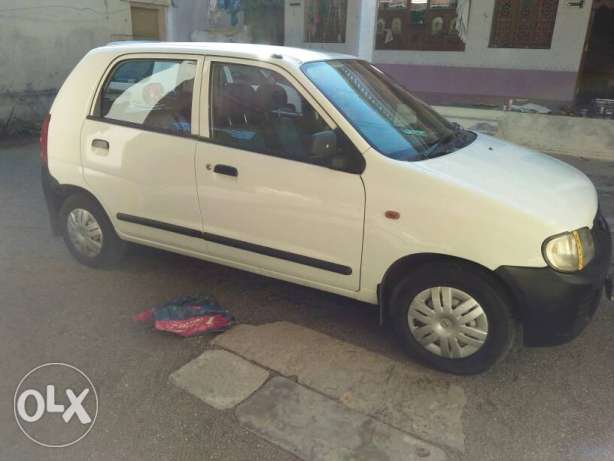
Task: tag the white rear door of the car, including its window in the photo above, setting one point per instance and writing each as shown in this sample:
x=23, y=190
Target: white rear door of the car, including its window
x=138, y=149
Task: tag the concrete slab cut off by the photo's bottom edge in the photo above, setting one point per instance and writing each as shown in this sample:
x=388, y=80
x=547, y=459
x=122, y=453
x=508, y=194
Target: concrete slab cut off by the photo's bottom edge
x=316, y=428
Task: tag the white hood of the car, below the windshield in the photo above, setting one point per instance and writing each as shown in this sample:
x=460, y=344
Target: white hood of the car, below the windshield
x=552, y=191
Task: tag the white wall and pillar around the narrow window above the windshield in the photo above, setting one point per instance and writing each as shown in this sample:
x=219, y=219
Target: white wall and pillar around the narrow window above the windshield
x=360, y=28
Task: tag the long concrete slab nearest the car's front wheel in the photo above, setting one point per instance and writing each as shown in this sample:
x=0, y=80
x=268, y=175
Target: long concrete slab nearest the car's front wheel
x=415, y=400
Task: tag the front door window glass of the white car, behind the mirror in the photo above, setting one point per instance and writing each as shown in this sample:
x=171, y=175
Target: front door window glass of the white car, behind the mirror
x=257, y=109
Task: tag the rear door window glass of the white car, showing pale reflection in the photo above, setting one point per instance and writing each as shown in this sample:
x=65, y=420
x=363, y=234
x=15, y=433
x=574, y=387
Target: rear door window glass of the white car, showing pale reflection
x=154, y=94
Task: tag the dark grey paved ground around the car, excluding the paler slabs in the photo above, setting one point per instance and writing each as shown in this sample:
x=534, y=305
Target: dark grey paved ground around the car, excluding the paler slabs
x=546, y=404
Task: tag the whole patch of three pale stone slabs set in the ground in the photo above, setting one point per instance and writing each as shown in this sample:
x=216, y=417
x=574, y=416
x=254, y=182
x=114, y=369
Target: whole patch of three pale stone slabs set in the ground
x=346, y=403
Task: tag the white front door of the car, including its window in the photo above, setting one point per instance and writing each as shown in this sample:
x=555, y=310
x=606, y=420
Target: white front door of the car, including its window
x=269, y=201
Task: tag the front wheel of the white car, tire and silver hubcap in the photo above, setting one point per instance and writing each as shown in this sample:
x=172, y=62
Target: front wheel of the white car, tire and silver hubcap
x=453, y=336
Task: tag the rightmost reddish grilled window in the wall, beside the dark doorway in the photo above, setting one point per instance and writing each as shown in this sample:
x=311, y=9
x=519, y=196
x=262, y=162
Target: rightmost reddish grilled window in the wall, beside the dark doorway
x=523, y=23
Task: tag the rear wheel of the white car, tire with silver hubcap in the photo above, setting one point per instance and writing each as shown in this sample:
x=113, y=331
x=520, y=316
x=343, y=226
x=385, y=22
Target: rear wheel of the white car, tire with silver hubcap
x=88, y=232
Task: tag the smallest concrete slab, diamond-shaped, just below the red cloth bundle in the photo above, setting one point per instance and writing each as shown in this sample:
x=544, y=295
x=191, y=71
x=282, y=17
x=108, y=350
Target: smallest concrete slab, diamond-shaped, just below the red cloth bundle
x=219, y=378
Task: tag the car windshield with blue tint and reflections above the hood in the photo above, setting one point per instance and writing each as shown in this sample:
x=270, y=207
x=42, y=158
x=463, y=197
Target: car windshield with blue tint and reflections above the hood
x=393, y=121
